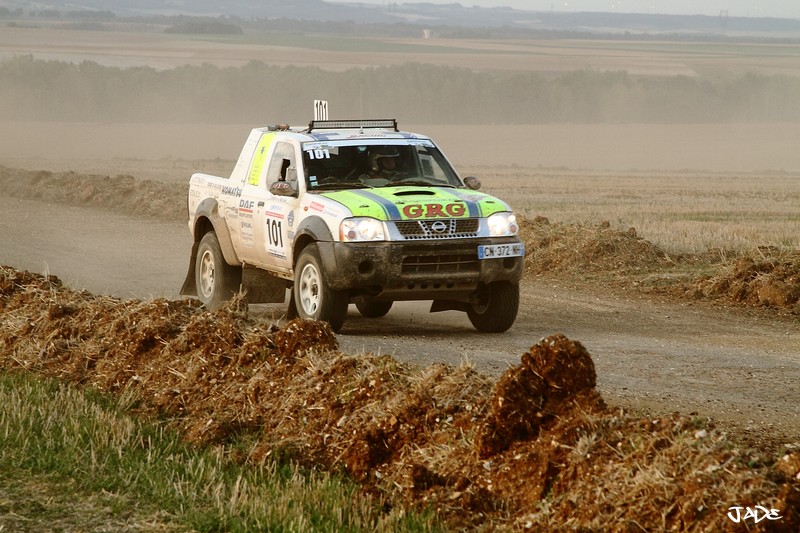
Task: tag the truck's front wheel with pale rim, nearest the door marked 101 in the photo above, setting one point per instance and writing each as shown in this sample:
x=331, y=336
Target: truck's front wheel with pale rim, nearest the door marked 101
x=313, y=298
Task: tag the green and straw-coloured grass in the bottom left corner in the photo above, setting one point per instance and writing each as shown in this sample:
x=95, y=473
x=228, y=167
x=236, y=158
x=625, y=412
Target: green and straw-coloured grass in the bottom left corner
x=76, y=461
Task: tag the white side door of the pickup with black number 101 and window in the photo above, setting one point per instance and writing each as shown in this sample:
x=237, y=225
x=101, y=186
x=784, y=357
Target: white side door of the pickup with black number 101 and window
x=274, y=215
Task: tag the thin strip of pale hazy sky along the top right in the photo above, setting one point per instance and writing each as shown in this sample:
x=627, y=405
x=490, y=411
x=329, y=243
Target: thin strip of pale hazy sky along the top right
x=735, y=8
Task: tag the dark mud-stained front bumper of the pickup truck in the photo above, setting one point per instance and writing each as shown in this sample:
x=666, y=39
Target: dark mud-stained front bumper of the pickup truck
x=416, y=270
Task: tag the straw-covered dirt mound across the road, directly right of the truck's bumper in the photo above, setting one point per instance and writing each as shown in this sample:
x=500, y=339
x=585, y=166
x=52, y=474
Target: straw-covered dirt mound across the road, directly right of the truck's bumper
x=559, y=248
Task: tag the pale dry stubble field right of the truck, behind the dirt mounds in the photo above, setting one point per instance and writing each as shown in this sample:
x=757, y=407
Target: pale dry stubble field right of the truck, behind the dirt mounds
x=678, y=212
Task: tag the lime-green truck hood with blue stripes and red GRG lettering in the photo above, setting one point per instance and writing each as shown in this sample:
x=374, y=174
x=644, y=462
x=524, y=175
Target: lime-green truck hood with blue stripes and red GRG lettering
x=412, y=203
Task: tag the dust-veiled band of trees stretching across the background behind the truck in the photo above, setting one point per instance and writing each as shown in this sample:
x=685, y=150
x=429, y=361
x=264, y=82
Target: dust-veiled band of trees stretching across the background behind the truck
x=39, y=90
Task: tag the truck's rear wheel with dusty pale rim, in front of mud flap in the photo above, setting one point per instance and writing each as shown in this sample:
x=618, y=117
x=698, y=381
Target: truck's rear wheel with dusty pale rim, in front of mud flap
x=216, y=281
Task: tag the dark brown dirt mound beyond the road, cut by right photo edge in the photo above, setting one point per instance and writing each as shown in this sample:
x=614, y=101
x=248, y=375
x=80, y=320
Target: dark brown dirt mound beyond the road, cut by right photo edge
x=769, y=278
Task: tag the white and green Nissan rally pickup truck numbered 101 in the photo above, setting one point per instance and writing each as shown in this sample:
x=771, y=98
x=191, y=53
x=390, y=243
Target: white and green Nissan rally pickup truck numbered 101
x=352, y=211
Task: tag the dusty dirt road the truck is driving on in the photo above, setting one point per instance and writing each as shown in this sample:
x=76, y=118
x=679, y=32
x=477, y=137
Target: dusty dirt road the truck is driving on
x=741, y=368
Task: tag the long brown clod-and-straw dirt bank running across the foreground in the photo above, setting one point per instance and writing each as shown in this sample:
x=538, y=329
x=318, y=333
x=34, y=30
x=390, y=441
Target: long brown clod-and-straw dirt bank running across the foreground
x=538, y=449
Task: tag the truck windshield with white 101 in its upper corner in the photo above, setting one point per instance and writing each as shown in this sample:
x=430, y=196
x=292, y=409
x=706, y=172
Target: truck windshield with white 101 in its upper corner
x=330, y=166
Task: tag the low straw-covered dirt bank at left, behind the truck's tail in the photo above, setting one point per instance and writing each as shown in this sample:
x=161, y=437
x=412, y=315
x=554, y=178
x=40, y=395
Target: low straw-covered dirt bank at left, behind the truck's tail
x=122, y=193
